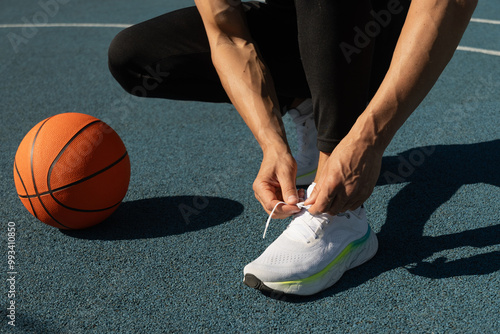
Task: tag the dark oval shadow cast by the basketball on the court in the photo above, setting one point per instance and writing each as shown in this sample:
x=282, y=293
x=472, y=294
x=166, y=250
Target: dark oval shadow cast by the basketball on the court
x=163, y=216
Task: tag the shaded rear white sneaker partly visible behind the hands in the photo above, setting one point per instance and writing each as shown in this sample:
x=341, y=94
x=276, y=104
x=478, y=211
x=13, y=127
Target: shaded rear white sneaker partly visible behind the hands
x=307, y=154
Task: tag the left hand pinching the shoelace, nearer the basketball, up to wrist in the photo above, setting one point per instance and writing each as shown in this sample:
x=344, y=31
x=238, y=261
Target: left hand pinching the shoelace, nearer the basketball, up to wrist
x=276, y=183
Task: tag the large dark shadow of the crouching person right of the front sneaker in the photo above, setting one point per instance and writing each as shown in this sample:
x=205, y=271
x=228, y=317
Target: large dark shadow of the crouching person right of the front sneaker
x=431, y=182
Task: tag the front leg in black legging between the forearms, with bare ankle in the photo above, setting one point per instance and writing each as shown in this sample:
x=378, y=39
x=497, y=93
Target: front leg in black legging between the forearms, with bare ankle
x=361, y=50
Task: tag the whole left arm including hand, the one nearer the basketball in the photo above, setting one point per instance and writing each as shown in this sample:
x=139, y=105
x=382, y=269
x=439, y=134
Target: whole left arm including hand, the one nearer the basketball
x=250, y=88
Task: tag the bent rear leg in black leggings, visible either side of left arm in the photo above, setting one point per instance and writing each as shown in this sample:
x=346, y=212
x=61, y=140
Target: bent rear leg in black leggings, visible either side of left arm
x=169, y=56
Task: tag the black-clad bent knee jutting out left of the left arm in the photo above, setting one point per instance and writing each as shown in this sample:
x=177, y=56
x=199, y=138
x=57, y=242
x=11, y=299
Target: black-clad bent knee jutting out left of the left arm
x=167, y=57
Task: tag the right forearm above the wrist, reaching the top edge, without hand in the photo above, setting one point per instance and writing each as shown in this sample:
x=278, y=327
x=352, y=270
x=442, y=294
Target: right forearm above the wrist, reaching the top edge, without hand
x=430, y=35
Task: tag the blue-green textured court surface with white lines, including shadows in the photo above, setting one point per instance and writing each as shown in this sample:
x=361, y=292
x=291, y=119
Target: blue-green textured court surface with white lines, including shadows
x=152, y=269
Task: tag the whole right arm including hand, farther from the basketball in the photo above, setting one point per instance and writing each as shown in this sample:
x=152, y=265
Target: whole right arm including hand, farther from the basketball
x=430, y=35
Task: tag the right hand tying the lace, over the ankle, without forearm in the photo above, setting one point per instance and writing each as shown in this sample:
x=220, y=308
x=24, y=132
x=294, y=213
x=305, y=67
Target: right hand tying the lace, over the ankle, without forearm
x=347, y=179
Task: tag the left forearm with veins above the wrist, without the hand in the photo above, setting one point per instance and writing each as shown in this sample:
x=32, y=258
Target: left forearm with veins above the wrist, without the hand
x=242, y=73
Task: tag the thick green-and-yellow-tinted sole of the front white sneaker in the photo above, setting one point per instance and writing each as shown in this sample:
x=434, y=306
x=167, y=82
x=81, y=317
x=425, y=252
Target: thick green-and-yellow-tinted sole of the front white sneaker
x=354, y=254
